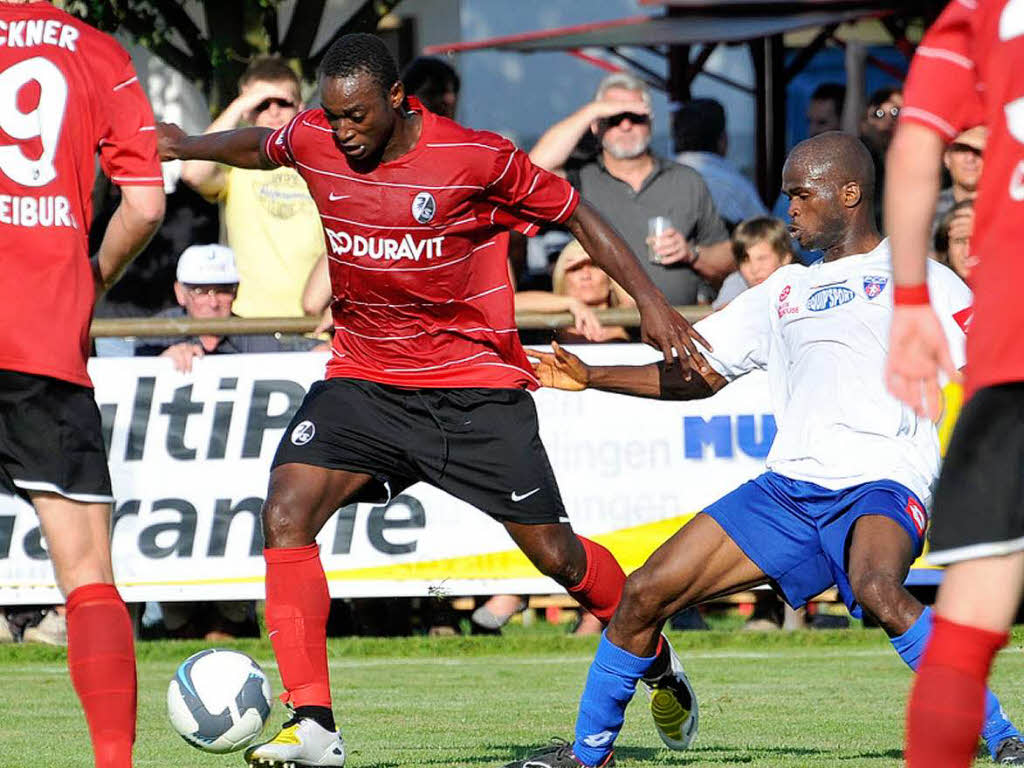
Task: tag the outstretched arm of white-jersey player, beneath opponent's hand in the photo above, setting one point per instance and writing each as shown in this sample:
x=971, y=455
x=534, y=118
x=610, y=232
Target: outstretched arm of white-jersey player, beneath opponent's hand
x=563, y=370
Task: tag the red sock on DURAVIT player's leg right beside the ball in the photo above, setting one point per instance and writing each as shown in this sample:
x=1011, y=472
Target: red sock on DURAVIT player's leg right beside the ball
x=297, y=607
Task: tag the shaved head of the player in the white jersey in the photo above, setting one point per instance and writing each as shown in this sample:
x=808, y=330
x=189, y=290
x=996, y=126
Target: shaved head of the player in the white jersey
x=830, y=181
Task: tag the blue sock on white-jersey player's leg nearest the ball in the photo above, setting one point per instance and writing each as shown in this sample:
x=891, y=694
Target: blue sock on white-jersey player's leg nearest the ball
x=611, y=685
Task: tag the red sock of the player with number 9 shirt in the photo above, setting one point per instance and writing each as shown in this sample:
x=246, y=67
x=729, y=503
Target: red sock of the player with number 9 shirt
x=102, y=662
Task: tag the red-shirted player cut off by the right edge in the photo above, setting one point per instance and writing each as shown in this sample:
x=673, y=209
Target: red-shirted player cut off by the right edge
x=968, y=70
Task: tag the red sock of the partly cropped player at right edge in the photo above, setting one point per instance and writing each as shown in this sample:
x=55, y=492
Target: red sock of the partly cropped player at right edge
x=948, y=704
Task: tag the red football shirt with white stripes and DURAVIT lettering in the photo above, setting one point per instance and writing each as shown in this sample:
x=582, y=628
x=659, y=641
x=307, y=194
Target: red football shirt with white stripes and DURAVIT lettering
x=416, y=251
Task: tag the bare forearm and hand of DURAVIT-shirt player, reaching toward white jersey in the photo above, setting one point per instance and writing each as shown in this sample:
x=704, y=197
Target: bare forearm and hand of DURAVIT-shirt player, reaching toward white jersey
x=661, y=326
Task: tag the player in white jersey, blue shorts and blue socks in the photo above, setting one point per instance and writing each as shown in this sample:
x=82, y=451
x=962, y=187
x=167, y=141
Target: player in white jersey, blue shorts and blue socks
x=849, y=475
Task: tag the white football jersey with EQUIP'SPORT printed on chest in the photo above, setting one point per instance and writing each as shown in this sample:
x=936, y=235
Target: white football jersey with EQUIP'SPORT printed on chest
x=823, y=333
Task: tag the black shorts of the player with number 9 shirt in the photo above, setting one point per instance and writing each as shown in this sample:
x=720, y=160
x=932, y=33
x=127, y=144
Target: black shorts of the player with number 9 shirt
x=52, y=439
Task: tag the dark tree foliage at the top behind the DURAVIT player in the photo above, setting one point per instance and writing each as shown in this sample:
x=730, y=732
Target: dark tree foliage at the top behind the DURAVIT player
x=212, y=41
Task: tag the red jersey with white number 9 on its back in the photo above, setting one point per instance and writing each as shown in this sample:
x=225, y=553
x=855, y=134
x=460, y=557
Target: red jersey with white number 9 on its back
x=67, y=93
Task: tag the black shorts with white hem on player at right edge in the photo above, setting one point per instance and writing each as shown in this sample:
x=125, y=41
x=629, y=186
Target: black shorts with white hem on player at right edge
x=979, y=502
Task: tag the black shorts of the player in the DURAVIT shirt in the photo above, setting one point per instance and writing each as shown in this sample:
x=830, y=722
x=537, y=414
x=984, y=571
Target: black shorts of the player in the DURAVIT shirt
x=481, y=446
